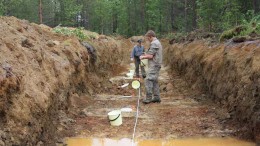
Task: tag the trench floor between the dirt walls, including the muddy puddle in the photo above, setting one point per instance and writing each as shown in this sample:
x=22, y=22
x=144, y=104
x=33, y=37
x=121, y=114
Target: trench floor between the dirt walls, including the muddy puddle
x=186, y=116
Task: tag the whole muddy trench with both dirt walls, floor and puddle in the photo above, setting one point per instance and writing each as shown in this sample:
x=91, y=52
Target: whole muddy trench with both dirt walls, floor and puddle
x=55, y=92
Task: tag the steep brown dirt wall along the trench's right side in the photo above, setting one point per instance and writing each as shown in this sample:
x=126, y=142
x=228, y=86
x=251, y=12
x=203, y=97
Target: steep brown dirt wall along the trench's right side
x=229, y=73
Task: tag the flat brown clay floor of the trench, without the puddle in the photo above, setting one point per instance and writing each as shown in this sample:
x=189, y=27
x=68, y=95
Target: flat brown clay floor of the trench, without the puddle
x=183, y=112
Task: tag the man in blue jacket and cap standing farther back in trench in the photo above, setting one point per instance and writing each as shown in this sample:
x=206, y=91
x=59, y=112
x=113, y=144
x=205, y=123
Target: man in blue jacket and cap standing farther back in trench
x=138, y=50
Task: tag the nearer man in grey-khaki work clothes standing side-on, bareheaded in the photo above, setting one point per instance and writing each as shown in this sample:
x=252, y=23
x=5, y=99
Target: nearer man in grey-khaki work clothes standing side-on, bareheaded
x=154, y=56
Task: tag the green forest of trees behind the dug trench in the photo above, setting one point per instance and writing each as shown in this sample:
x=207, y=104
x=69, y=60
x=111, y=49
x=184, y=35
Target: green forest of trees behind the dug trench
x=135, y=17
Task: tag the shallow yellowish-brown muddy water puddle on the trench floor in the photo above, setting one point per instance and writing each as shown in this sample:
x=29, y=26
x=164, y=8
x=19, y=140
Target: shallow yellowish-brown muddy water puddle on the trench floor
x=177, y=142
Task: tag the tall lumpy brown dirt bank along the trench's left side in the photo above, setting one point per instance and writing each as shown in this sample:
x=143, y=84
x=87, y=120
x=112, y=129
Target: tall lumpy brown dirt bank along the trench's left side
x=40, y=71
